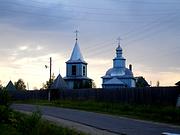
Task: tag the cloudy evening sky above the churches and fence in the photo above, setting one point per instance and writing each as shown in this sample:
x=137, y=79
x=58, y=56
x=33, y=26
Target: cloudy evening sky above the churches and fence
x=34, y=30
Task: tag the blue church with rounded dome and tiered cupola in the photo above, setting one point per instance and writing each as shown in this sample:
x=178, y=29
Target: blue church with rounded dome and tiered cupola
x=119, y=76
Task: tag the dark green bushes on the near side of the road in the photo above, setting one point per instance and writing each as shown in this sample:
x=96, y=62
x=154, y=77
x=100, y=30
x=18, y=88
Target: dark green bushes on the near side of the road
x=15, y=123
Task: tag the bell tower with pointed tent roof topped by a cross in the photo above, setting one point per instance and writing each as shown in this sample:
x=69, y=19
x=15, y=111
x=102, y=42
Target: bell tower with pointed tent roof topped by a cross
x=76, y=70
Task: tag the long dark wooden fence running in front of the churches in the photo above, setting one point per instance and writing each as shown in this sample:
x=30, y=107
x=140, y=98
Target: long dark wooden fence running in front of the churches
x=150, y=95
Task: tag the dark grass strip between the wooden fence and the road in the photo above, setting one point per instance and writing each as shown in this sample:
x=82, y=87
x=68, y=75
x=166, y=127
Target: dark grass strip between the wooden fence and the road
x=166, y=114
